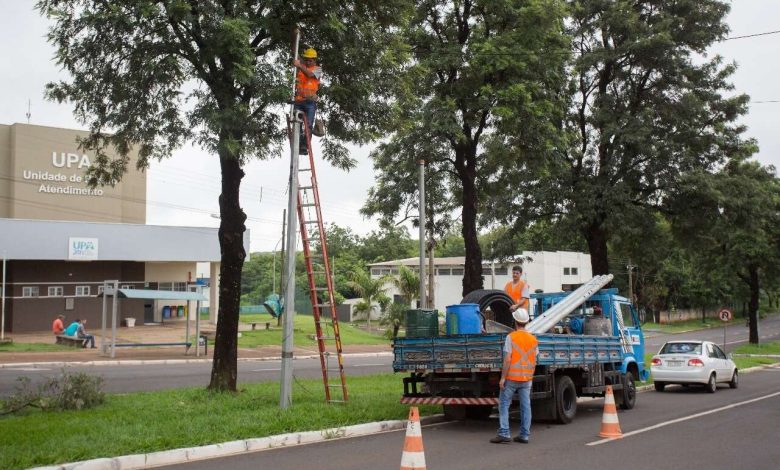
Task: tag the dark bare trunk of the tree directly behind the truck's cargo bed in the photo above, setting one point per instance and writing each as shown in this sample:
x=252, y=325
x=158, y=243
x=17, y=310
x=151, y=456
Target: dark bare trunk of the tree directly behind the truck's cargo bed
x=472, y=273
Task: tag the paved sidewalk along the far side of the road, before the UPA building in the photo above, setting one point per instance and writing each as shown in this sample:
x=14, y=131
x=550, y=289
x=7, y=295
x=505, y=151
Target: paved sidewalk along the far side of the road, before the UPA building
x=173, y=332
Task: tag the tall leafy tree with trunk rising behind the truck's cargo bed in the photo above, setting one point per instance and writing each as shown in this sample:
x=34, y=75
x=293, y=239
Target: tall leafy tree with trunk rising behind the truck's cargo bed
x=478, y=67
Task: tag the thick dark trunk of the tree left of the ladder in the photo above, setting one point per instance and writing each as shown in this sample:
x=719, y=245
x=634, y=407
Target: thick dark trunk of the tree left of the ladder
x=224, y=372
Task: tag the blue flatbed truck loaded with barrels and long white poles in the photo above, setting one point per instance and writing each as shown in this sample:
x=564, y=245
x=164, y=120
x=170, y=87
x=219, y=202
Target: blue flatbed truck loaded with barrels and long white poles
x=588, y=339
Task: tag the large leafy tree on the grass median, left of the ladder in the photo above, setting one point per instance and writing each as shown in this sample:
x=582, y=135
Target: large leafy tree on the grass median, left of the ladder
x=150, y=75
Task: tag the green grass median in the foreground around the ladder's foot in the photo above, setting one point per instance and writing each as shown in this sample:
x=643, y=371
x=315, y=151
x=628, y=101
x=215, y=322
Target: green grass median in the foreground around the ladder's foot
x=147, y=422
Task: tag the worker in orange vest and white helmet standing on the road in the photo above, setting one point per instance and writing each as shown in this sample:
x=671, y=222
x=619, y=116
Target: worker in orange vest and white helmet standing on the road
x=520, y=350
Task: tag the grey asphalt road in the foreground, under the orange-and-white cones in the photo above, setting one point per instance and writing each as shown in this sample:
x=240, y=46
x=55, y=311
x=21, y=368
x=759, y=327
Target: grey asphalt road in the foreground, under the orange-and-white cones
x=680, y=428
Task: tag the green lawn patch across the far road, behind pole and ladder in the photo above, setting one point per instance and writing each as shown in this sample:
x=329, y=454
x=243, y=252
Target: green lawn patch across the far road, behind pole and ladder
x=304, y=326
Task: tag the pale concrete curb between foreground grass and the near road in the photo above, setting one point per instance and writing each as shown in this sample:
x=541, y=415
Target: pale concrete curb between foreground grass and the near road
x=225, y=449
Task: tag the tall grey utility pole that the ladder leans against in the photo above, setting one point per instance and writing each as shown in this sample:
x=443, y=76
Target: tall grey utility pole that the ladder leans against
x=285, y=396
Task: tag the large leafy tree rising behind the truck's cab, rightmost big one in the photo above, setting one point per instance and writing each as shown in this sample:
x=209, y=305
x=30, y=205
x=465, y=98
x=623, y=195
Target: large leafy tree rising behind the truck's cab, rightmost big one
x=647, y=105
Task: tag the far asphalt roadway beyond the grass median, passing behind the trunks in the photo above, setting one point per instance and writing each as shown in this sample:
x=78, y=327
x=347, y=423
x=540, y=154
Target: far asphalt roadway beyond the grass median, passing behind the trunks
x=149, y=377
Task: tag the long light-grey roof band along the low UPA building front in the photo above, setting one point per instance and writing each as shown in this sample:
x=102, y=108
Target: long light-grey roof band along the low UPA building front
x=23, y=239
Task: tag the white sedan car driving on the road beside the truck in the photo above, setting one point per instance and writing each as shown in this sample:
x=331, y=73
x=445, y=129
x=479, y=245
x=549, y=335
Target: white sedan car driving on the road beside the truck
x=693, y=362
